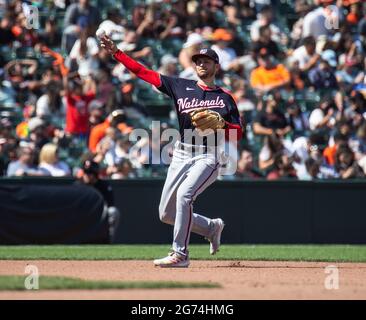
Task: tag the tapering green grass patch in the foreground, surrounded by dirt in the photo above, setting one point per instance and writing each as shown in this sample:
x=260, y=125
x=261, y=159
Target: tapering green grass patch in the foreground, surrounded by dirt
x=65, y=283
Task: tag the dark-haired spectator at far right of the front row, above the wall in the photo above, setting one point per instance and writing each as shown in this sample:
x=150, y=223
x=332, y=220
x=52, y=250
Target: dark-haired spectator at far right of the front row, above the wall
x=346, y=165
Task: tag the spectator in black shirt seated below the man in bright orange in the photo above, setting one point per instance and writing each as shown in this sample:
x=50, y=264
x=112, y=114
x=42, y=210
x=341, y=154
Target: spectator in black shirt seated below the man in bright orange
x=271, y=120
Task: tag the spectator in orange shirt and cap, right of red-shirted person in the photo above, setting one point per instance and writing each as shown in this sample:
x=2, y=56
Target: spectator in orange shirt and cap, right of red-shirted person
x=116, y=120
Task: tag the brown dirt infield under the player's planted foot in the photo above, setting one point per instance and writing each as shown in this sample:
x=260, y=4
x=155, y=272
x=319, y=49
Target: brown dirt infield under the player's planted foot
x=239, y=279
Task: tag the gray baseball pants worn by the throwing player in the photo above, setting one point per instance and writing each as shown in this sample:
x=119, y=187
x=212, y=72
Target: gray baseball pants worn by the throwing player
x=189, y=174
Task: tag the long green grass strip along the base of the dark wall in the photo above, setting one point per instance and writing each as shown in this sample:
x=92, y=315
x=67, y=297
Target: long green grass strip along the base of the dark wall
x=332, y=253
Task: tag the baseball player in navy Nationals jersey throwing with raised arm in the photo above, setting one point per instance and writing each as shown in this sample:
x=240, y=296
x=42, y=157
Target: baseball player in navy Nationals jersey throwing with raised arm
x=201, y=106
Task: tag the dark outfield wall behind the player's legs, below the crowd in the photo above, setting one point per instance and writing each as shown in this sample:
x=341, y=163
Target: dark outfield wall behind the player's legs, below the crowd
x=254, y=211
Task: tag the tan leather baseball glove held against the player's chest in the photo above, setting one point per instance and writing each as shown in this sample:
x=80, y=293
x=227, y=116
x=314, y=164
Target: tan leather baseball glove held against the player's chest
x=204, y=119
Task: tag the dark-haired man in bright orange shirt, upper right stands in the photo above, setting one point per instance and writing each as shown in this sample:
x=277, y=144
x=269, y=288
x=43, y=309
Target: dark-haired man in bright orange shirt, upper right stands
x=268, y=75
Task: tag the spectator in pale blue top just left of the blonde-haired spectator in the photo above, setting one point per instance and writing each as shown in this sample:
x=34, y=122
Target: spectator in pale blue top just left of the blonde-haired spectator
x=25, y=165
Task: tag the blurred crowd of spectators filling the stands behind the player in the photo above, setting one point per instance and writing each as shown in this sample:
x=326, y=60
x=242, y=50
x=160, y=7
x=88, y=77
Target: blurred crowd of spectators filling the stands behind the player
x=295, y=68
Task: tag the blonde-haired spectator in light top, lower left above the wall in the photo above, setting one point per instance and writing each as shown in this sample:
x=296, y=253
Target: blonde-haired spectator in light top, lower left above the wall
x=49, y=163
